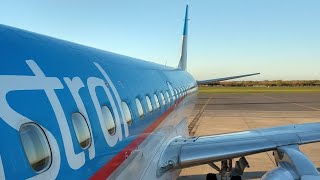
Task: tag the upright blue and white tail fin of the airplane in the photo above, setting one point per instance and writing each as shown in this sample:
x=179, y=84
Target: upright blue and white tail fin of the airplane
x=183, y=58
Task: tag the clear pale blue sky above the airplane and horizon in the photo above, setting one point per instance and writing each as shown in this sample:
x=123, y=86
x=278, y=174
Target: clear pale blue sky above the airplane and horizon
x=278, y=38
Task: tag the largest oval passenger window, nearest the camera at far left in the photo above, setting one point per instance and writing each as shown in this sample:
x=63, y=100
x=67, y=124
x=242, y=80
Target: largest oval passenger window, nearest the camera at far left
x=36, y=147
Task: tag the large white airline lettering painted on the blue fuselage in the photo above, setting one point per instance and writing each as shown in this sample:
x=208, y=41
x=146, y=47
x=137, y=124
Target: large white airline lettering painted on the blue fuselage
x=14, y=119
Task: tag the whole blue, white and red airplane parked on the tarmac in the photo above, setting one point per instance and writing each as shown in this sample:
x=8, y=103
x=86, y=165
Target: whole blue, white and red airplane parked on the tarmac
x=69, y=111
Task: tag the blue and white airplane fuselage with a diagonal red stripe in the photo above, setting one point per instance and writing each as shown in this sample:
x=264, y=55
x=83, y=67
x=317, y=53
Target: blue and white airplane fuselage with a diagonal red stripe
x=44, y=81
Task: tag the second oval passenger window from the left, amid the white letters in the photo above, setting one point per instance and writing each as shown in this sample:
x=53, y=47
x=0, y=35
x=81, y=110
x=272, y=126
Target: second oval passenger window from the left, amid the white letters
x=82, y=130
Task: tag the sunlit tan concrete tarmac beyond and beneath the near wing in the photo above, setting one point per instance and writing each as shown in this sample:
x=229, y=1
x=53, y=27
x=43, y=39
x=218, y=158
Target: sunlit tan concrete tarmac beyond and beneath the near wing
x=224, y=113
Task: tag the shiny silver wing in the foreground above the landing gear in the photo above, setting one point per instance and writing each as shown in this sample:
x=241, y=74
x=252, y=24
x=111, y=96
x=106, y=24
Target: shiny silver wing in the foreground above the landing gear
x=187, y=152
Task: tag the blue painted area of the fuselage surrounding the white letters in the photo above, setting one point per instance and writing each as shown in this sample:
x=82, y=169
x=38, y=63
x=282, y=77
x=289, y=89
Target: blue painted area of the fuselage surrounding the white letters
x=22, y=53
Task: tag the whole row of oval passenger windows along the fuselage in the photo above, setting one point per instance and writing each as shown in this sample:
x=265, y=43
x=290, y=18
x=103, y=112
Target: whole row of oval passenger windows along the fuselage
x=36, y=145
